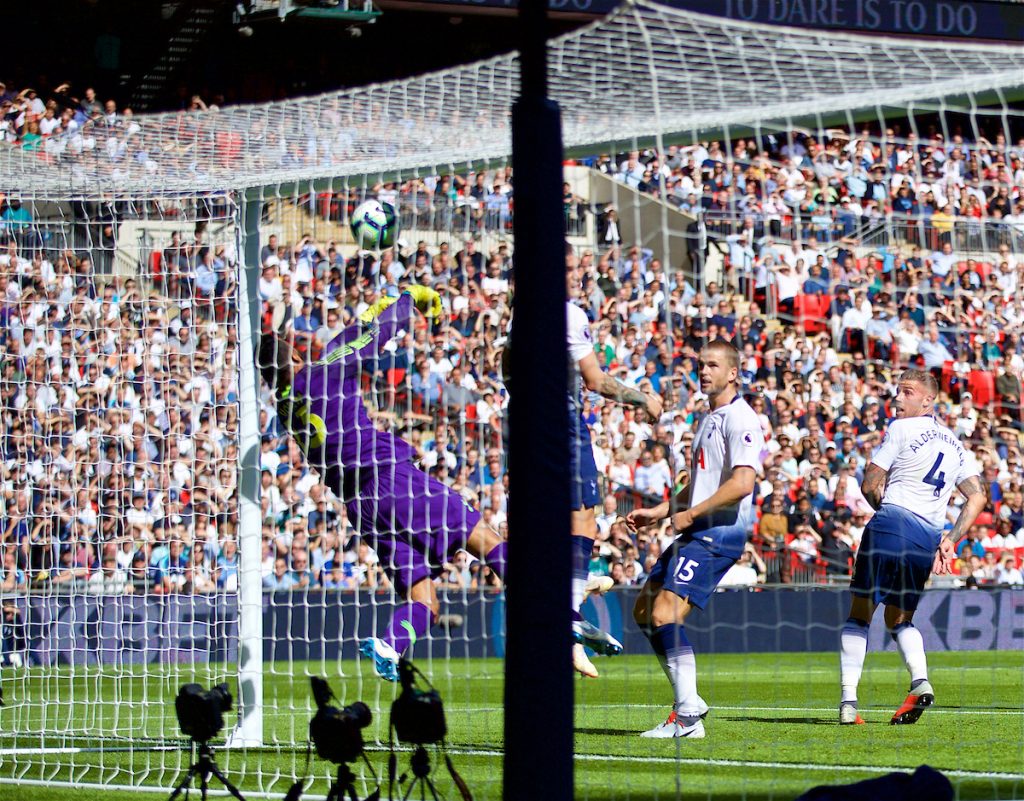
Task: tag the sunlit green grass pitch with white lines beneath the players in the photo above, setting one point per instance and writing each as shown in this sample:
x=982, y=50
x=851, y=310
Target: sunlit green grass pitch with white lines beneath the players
x=772, y=734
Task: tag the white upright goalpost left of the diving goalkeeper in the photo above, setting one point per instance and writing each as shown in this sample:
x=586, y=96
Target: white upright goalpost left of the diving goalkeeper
x=249, y=731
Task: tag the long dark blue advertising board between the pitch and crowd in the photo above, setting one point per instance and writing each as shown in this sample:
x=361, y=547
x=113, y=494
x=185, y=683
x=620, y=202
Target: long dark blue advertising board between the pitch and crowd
x=315, y=625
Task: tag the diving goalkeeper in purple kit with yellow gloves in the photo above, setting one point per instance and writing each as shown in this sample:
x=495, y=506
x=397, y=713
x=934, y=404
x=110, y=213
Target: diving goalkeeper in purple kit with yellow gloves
x=414, y=522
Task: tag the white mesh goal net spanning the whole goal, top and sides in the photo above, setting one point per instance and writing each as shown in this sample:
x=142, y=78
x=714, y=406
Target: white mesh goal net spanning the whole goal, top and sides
x=162, y=526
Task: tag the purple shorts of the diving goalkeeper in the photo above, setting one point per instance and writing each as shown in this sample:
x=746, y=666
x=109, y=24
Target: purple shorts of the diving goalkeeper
x=414, y=522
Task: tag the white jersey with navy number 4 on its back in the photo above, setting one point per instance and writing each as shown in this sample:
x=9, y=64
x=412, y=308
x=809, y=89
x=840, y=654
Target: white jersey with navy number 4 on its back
x=925, y=462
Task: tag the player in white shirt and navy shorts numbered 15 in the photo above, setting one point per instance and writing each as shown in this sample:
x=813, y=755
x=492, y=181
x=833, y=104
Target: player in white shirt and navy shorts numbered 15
x=714, y=516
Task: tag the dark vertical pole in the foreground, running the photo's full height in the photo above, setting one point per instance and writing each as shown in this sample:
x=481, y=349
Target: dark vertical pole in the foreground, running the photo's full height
x=538, y=669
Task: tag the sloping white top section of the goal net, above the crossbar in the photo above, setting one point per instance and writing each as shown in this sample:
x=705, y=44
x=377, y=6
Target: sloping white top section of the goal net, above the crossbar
x=644, y=71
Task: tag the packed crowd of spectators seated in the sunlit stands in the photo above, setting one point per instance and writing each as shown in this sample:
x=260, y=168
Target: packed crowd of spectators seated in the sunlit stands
x=119, y=395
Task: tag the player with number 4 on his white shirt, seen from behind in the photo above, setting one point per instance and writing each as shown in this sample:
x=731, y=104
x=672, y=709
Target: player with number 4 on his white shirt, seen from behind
x=909, y=482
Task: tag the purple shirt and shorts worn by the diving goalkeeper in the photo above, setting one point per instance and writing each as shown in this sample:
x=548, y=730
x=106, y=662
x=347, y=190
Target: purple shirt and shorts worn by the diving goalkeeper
x=414, y=522
